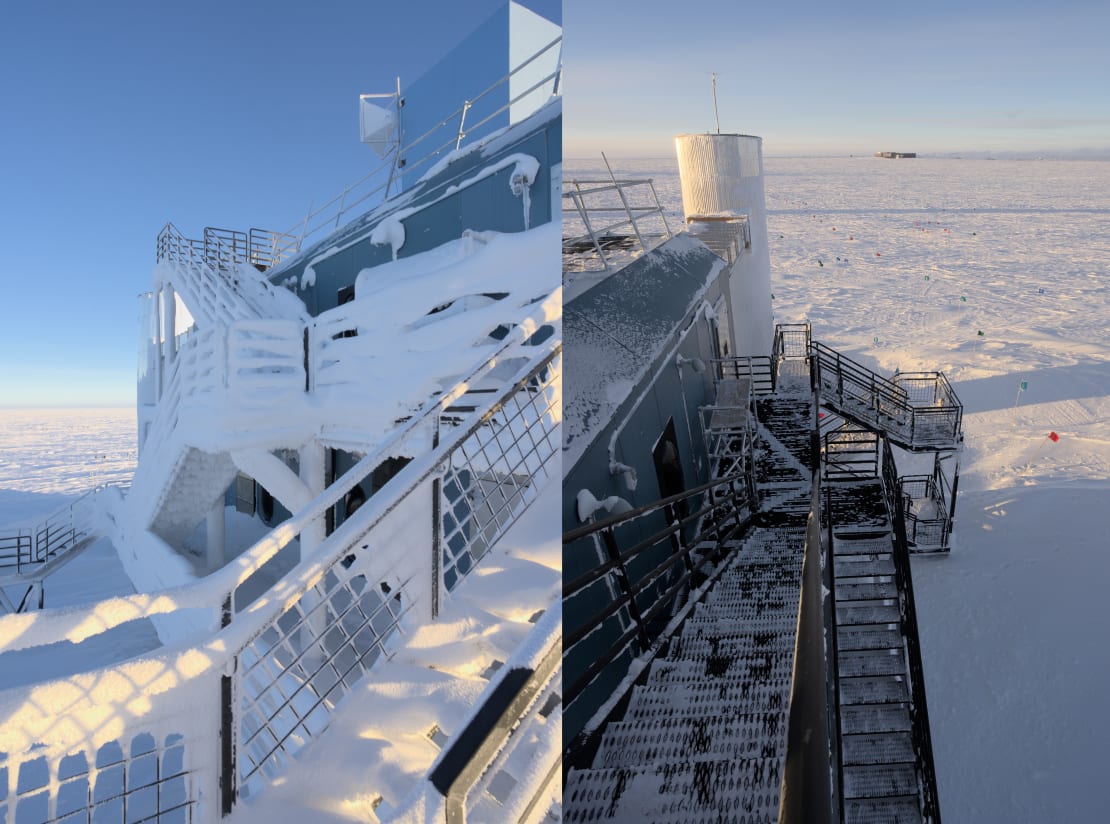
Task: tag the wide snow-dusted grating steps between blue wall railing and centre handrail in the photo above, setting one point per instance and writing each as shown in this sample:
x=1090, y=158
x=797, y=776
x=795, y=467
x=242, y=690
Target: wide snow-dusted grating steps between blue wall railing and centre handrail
x=704, y=737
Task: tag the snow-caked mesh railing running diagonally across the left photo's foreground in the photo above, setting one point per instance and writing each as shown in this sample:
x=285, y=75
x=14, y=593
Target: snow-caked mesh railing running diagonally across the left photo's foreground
x=274, y=674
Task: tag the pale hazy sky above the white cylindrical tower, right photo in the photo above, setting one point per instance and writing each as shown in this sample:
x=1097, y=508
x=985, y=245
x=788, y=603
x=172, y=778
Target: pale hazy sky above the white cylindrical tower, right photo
x=816, y=78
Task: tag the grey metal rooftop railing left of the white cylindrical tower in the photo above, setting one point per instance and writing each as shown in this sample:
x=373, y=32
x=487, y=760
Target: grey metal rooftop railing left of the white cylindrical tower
x=612, y=223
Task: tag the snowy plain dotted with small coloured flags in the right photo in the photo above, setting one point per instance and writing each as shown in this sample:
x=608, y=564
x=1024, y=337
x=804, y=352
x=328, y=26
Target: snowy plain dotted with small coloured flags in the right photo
x=903, y=265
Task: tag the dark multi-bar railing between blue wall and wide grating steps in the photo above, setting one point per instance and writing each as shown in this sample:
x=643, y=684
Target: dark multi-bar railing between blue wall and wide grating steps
x=736, y=514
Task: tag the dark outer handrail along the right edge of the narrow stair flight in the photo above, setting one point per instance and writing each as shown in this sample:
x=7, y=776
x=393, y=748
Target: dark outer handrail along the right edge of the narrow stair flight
x=920, y=710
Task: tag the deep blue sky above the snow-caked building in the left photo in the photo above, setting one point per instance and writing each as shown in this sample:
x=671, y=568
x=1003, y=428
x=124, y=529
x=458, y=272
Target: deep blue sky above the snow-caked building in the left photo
x=120, y=116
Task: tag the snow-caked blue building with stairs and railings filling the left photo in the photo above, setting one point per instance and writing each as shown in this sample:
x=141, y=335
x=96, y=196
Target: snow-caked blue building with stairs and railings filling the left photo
x=345, y=433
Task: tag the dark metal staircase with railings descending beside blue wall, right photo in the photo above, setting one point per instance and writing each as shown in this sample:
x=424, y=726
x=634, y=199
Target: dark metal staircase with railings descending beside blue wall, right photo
x=700, y=727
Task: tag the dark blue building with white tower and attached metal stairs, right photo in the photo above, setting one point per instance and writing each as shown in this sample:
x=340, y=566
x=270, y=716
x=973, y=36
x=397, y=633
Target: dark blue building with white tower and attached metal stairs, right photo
x=741, y=640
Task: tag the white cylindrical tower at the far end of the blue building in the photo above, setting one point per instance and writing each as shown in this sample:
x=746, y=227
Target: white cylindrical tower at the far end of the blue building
x=722, y=178
